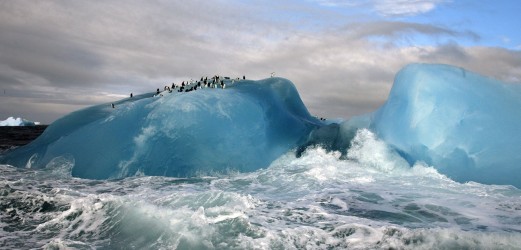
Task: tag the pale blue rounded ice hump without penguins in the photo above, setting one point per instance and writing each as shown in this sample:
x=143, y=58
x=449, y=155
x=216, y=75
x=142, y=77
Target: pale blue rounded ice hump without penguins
x=465, y=125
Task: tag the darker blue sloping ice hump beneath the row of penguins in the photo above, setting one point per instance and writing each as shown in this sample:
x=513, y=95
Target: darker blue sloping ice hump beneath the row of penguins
x=243, y=127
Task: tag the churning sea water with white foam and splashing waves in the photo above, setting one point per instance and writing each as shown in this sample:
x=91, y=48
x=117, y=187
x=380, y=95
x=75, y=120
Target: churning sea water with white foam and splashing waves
x=368, y=200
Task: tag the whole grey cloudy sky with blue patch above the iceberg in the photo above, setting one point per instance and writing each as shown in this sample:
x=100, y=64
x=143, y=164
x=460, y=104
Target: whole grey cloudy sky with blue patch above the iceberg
x=60, y=56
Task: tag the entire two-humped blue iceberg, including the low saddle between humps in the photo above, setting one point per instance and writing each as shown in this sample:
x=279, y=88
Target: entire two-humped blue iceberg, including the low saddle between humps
x=465, y=125
